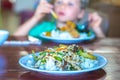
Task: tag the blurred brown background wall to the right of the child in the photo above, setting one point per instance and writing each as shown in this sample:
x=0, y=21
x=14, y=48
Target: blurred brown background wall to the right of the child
x=112, y=9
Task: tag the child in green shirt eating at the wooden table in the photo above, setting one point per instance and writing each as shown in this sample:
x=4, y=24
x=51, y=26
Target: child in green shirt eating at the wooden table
x=66, y=10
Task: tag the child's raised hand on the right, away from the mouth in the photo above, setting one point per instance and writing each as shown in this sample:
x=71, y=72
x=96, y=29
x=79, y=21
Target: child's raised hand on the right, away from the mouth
x=95, y=20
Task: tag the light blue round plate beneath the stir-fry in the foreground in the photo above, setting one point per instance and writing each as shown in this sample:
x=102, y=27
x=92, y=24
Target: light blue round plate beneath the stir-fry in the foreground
x=28, y=61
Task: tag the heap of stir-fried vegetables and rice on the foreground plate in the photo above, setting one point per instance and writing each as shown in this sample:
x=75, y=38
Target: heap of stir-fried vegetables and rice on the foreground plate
x=62, y=57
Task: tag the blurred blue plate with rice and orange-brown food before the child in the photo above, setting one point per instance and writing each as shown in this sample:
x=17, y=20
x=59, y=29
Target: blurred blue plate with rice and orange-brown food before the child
x=69, y=34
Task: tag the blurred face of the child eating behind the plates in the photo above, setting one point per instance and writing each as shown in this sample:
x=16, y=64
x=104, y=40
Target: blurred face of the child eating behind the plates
x=67, y=10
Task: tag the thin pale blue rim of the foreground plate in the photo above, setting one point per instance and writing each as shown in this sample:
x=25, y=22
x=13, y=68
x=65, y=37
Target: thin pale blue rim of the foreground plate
x=65, y=72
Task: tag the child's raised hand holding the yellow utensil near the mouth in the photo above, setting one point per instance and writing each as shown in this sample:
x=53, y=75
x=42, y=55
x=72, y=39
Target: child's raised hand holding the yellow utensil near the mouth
x=43, y=8
